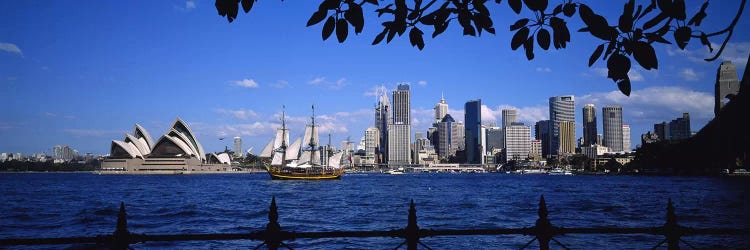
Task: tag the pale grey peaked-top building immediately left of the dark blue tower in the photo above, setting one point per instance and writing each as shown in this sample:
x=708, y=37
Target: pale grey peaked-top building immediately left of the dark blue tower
x=450, y=137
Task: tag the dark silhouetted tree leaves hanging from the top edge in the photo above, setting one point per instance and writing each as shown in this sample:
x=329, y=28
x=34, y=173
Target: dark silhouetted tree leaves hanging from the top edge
x=630, y=36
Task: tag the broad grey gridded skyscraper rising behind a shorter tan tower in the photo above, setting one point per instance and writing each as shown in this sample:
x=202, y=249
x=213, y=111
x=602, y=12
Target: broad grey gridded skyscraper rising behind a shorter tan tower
x=561, y=109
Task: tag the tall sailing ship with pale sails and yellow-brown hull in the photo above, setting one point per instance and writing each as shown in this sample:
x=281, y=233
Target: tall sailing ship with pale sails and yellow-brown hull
x=302, y=159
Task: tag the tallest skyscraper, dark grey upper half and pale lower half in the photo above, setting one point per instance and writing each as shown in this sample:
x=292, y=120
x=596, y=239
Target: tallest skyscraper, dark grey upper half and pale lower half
x=399, y=131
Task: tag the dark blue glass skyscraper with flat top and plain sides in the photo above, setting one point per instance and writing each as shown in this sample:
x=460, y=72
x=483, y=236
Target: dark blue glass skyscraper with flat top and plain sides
x=473, y=123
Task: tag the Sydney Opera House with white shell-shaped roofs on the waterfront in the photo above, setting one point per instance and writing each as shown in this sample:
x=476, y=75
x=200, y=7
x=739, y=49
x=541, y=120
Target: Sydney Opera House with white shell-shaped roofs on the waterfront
x=177, y=151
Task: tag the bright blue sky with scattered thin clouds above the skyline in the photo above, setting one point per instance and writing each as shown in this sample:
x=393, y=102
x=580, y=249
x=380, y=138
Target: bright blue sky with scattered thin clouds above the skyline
x=83, y=73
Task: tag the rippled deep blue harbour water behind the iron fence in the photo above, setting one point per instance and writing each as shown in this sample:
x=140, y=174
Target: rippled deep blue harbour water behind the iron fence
x=84, y=204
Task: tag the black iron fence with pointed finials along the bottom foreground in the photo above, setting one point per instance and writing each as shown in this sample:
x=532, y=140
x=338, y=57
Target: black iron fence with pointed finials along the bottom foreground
x=274, y=237
